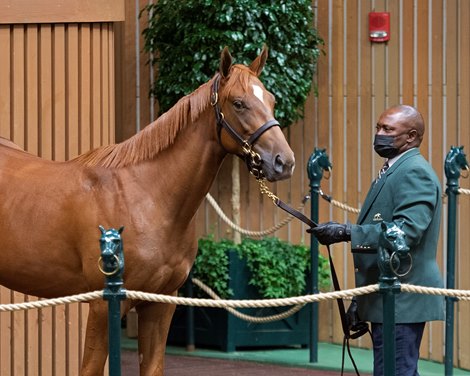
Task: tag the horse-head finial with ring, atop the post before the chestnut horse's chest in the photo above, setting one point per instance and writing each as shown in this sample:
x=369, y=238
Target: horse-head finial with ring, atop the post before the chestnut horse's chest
x=111, y=262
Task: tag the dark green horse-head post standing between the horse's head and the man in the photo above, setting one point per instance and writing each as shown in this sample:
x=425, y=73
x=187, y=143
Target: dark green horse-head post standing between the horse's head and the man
x=317, y=163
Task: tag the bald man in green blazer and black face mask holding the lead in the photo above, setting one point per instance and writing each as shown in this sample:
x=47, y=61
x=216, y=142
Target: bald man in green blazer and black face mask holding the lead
x=408, y=190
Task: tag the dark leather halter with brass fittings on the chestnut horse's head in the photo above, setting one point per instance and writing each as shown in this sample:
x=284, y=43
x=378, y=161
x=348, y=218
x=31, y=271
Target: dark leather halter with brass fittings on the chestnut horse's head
x=252, y=159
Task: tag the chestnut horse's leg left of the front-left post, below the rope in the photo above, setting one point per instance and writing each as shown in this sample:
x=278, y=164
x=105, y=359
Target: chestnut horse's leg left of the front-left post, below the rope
x=96, y=340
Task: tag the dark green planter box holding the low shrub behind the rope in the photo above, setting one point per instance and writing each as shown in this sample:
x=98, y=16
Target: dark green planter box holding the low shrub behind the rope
x=215, y=327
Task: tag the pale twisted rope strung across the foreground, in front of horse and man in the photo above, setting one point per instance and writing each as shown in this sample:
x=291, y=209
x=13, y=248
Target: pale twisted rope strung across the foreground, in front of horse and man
x=463, y=295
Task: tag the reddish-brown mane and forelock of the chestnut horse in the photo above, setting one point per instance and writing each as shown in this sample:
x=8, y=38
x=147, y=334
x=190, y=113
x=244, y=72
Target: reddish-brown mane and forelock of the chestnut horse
x=160, y=134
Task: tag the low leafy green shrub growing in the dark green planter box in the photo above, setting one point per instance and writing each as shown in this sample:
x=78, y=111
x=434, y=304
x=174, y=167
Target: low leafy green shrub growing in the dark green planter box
x=278, y=268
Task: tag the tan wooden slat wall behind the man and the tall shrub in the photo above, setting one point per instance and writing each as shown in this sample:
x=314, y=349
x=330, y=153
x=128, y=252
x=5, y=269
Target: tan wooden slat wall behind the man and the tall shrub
x=425, y=64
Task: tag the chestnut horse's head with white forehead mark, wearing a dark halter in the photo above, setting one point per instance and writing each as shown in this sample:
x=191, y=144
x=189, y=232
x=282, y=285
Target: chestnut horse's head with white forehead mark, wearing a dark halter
x=245, y=119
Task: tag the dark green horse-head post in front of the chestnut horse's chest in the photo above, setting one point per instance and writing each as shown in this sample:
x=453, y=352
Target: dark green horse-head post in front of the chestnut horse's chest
x=111, y=264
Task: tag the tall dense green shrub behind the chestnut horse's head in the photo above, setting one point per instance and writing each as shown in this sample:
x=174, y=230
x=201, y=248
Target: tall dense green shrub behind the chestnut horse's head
x=186, y=38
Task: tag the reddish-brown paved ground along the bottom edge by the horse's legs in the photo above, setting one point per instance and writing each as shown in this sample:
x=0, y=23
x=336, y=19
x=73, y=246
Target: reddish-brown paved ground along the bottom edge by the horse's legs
x=176, y=365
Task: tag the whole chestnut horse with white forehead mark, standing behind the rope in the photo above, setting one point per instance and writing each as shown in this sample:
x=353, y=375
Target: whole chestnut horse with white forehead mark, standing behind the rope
x=152, y=184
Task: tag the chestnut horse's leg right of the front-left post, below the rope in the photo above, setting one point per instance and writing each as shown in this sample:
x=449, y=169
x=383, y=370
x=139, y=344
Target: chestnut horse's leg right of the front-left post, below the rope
x=154, y=323
